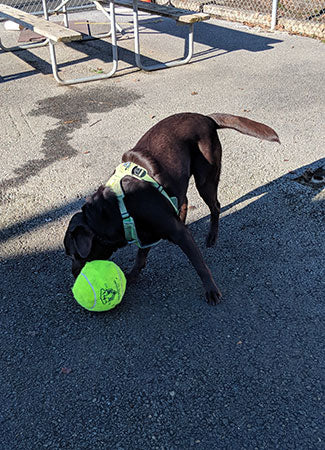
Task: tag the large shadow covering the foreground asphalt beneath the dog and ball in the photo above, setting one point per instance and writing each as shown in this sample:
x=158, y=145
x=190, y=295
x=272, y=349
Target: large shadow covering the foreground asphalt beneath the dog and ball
x=164, y=363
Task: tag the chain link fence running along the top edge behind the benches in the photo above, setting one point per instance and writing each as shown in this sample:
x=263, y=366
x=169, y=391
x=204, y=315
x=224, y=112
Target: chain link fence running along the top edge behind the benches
x=305, y=17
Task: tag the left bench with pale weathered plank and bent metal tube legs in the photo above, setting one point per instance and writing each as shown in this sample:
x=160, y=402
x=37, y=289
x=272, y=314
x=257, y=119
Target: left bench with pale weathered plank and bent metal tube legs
x=55, y=33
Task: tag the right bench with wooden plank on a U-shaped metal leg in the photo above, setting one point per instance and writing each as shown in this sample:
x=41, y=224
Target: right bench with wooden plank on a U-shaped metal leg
x=181, y=16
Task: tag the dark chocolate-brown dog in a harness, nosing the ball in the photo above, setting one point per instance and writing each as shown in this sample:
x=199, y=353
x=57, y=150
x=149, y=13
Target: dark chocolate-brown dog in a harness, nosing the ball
x=171, y=152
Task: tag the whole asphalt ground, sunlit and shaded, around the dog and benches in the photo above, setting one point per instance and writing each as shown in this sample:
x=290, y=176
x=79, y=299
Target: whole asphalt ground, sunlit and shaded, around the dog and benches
x=164, y=370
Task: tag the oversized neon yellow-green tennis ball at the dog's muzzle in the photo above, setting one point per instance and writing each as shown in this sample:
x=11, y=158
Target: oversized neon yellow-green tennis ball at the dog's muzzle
x=100, y=286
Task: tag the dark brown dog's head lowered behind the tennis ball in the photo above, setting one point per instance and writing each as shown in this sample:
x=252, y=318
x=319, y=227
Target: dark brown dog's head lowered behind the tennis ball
x=95, y=232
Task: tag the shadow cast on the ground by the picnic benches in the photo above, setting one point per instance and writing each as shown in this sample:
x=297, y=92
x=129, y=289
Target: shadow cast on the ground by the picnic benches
x=214, y=36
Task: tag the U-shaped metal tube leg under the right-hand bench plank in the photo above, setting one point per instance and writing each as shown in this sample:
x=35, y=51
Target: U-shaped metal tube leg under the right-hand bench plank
x=188, y=52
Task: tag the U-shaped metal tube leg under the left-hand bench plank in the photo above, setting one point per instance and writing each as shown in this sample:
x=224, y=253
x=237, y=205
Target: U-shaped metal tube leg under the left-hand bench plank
x=93, y=77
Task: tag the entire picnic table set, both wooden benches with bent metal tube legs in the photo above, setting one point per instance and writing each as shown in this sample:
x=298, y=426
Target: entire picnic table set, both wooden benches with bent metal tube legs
x=55, y=33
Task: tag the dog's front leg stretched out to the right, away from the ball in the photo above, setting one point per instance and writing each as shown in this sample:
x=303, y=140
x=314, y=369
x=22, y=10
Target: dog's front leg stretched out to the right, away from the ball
x=183, y=238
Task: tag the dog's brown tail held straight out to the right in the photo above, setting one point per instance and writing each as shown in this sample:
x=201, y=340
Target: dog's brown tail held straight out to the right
x=245, y=126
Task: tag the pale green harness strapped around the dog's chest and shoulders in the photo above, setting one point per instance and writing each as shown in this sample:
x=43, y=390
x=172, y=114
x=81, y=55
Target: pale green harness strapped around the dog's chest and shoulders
x=114, y=183
